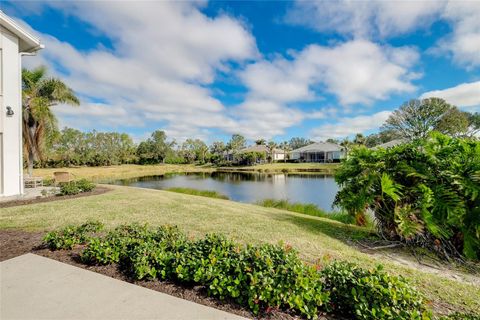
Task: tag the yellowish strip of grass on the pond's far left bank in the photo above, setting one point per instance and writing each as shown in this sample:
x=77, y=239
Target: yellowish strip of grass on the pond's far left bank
x=121, y=171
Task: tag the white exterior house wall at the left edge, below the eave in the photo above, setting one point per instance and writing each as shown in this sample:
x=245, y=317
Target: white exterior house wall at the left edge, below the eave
x=11, y=177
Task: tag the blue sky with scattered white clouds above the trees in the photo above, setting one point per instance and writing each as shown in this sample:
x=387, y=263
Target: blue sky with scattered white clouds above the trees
x=271, y=69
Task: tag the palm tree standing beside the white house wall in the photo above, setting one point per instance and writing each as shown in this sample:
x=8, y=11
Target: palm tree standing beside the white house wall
x=39, y=95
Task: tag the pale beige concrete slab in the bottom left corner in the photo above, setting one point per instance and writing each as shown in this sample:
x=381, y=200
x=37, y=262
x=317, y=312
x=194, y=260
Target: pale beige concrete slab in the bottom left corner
x=34, y=287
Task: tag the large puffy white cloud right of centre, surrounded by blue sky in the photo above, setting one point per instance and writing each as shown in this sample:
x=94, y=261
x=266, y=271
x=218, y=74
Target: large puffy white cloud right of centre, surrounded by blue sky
x=356, y=71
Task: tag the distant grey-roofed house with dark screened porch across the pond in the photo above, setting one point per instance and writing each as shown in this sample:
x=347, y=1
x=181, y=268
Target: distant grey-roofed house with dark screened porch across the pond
x=318, y=152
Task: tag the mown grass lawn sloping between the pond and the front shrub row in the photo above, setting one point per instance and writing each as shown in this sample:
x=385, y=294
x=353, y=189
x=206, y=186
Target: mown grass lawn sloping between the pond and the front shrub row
x=314, y=237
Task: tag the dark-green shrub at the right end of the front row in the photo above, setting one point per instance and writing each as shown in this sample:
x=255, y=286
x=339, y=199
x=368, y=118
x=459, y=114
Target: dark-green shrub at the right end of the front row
x=371, y=294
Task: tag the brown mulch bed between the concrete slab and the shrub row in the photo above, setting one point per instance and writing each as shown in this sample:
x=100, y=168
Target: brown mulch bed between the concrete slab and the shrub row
x=14, y=243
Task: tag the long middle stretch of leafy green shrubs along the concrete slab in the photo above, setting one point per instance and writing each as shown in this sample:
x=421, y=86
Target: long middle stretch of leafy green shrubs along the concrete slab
x=260, y=278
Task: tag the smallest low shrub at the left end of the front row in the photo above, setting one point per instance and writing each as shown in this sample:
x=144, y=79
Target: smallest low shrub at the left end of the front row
x=70, y=236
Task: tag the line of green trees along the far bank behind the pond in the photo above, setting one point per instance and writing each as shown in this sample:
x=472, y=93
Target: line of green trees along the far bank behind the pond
x=72, y=147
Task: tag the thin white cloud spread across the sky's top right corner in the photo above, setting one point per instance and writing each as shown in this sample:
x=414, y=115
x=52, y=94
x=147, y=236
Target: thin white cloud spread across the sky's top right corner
x=384, y=19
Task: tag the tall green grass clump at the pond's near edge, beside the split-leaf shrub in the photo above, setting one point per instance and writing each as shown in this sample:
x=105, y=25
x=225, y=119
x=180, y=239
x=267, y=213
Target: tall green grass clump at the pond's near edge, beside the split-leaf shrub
x=306, y=208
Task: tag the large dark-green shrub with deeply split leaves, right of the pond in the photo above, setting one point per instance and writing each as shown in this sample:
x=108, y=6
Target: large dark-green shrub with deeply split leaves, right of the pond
x=426, y=192
